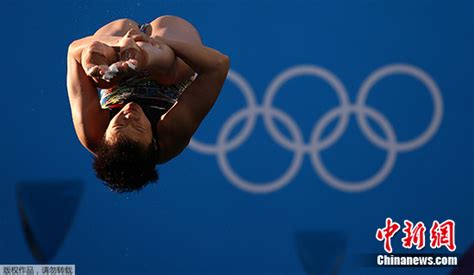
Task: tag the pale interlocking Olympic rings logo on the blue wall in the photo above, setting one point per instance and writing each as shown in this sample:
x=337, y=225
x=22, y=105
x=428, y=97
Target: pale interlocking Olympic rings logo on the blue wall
x=361, y=111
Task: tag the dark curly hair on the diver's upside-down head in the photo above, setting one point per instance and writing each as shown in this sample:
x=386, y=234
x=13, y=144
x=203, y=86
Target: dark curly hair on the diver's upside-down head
x=125, y=165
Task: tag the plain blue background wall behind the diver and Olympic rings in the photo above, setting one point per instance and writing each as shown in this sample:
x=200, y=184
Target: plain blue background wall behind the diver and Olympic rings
x=196, y=220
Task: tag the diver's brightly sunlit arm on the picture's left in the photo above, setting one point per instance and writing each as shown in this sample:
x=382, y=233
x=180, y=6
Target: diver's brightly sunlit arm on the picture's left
x=90, y=121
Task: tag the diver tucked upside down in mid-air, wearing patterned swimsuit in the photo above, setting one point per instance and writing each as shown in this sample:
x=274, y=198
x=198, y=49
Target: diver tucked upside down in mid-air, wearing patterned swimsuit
x=157, y=82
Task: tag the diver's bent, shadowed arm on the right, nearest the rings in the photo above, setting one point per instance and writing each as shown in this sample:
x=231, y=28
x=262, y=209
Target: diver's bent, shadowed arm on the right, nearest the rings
x=181, y=122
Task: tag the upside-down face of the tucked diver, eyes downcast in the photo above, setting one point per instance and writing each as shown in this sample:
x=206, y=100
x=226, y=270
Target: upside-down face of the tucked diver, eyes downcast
x=131, y=123
